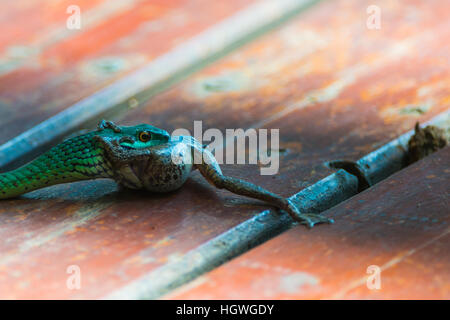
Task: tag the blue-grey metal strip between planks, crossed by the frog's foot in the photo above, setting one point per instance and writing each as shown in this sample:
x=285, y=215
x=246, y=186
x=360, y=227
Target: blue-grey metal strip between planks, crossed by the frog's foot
x=319, y=197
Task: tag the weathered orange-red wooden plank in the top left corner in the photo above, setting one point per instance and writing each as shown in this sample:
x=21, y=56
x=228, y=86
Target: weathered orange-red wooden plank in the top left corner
x=45, y=67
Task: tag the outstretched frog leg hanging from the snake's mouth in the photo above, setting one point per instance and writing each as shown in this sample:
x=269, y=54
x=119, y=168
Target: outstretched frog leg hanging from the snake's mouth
x=210, y=169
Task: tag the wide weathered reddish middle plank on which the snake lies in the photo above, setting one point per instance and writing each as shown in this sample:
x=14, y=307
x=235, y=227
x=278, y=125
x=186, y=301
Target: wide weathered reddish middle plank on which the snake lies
x=334, y=89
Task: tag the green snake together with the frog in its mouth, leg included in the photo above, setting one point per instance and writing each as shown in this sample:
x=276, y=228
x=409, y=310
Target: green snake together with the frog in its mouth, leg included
x=137, y=157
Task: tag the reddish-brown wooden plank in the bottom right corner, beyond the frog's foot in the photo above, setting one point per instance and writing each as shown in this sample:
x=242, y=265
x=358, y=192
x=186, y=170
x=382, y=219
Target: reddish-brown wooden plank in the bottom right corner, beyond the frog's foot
x=399, y=225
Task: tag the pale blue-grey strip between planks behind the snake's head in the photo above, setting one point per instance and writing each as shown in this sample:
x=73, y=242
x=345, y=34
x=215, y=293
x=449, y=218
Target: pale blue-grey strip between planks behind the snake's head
x=156, y=76
